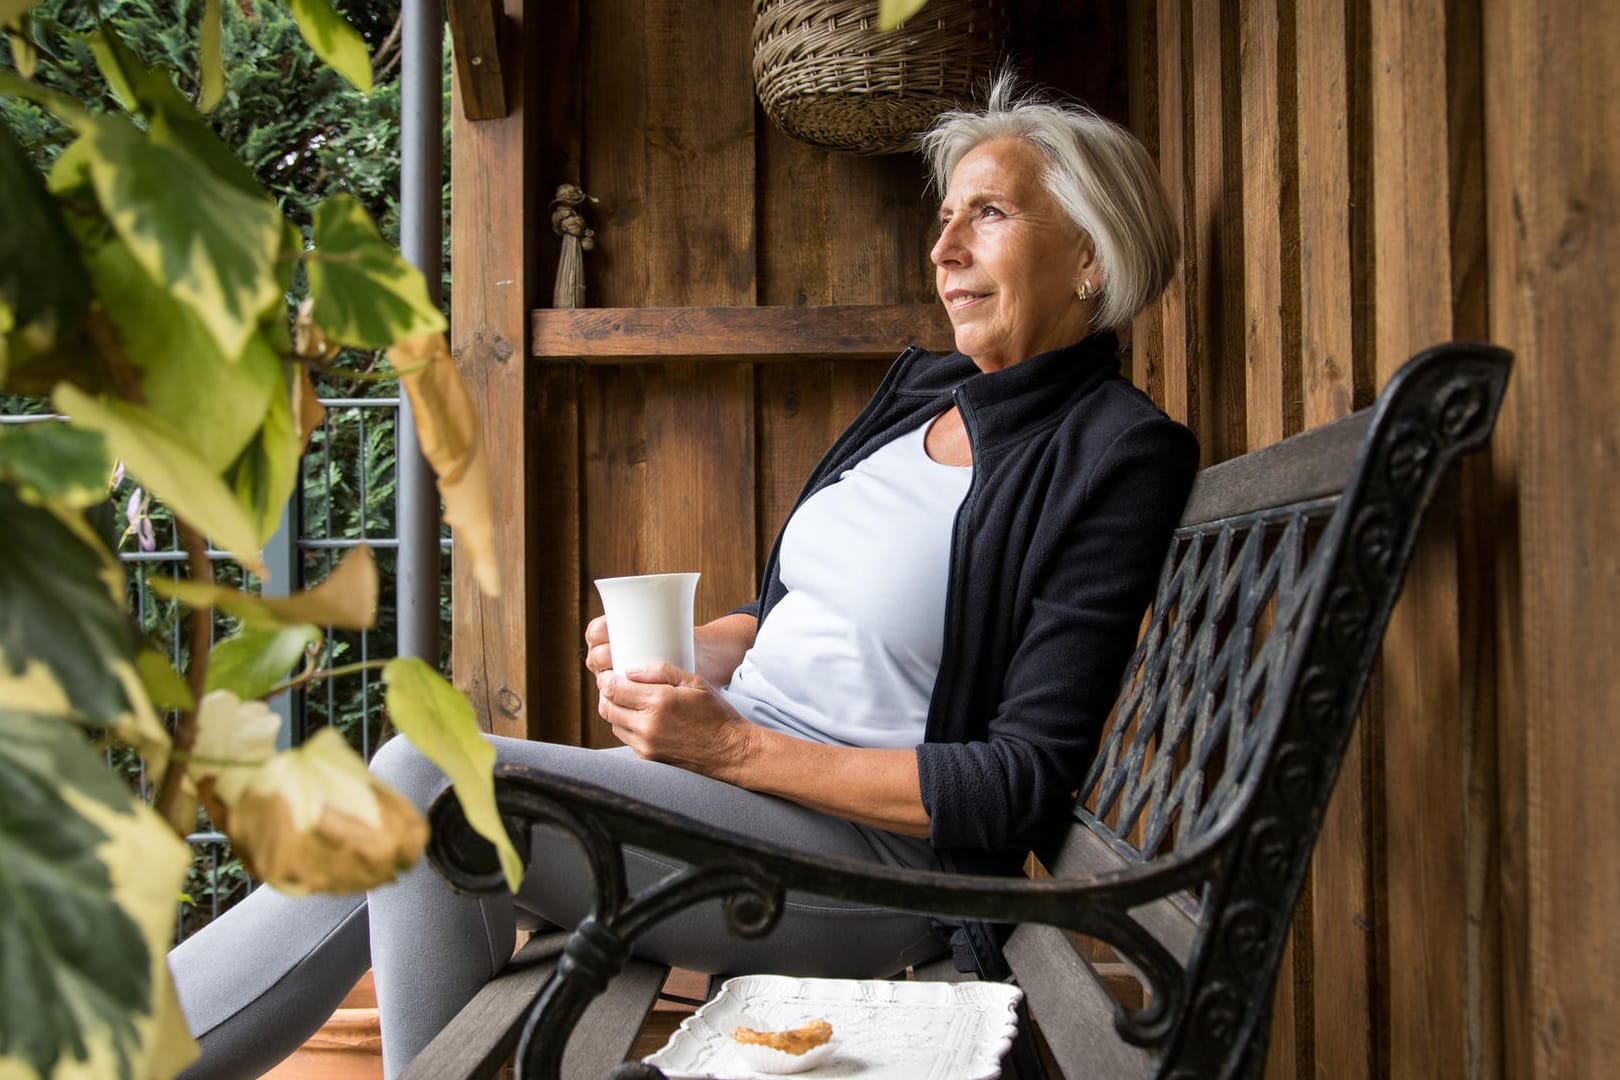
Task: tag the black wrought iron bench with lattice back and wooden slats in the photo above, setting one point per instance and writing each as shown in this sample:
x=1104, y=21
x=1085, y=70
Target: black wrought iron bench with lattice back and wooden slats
x=1193, y=831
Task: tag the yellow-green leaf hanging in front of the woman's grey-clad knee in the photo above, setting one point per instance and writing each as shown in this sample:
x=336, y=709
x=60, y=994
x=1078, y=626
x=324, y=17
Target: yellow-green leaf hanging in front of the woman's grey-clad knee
x=441, y=725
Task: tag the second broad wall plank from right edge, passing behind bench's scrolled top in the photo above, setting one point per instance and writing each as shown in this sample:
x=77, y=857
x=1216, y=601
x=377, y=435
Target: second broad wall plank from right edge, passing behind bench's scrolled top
x=1425, y=734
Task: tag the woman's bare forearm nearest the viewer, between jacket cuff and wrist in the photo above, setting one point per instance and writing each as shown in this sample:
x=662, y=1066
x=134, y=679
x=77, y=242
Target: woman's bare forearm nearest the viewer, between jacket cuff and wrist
x=872, y=788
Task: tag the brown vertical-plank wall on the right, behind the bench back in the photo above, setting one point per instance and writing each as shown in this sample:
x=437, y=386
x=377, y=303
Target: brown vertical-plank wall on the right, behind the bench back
x=1358, y=181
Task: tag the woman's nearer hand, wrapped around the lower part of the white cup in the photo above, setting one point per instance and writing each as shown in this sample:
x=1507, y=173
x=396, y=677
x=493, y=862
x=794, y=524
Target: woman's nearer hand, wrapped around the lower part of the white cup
x=673, y=716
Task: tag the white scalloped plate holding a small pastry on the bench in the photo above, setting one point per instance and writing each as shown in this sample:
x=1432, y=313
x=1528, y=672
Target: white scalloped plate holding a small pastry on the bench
x=882, y=1031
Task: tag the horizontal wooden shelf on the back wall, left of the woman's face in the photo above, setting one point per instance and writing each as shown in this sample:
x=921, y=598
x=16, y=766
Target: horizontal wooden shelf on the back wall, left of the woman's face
x=626, y=336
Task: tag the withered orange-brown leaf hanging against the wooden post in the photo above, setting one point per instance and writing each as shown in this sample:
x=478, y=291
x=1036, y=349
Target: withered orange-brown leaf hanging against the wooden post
x=448, y=427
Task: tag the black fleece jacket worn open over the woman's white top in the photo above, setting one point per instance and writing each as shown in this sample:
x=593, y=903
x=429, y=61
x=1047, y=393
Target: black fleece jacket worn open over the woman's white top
x=1078, y=483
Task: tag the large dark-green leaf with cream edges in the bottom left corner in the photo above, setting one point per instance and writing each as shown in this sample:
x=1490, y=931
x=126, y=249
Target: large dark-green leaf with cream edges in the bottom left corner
x=88, y=880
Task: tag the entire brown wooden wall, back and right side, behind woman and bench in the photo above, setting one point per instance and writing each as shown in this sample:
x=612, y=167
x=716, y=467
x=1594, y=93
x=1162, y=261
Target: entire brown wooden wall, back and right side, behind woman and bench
x=1357, y=179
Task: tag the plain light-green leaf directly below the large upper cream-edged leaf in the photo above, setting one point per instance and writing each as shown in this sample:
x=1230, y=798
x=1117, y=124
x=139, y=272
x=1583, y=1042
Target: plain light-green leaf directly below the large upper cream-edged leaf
x=184, y=375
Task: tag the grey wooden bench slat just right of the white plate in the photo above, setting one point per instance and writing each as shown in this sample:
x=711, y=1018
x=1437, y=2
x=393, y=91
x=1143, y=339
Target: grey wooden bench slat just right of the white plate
x=1072, y=1006
